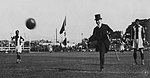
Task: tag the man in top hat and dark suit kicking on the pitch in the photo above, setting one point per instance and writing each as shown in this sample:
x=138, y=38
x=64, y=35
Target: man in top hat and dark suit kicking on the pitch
x=101, y=38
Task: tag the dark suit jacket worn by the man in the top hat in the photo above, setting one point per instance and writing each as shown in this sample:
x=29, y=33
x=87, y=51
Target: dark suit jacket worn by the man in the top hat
x=101, y=36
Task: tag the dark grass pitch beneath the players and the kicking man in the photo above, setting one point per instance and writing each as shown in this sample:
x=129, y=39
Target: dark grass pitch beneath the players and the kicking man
x=73, y=65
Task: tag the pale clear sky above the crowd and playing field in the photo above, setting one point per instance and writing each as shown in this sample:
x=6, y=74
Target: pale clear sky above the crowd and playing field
x=49, y=16
